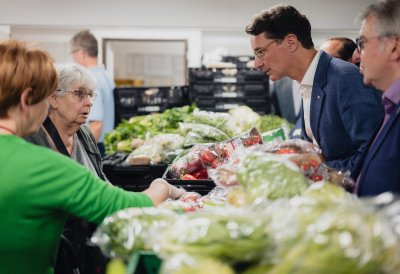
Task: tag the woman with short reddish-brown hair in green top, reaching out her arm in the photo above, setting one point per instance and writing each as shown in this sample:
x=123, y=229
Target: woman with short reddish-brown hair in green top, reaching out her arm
x=38, y=187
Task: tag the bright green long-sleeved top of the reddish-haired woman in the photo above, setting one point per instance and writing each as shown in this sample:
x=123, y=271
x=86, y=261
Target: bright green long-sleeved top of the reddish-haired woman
x=38, y=189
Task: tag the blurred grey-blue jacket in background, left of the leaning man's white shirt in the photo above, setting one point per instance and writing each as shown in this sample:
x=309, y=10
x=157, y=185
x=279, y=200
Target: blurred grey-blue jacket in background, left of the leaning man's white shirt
x=282, y=99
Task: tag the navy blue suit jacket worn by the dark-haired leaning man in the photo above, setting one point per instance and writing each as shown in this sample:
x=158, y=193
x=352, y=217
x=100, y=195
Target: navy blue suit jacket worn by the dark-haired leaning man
x=344, y=113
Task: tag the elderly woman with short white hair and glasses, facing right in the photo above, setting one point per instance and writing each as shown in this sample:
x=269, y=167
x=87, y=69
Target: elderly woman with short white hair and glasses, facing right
x=64, y=129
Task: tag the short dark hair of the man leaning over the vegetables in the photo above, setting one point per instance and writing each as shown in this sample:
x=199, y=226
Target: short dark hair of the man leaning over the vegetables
x=279, y=21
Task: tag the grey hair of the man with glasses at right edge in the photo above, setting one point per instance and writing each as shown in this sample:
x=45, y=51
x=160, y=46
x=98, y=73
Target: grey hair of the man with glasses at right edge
x=387, y=13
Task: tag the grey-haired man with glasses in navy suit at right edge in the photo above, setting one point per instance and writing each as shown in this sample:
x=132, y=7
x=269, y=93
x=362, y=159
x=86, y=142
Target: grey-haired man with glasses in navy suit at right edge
x=379, y=45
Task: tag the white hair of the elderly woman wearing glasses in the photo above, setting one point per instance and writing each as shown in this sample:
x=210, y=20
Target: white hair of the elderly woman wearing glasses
x=74, y=74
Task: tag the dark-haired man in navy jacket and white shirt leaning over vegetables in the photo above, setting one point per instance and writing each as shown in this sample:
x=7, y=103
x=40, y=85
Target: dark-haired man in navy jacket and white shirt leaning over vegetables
x=339, y=113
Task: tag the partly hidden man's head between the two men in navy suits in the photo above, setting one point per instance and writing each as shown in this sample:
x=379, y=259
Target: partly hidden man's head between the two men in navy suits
x=340, y=47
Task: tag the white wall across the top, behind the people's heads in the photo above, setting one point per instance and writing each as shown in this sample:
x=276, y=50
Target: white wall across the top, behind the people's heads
x=217, y=23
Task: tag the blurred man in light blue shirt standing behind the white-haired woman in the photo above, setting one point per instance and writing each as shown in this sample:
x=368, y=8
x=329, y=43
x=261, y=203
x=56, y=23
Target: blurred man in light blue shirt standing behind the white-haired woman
x=84, y=51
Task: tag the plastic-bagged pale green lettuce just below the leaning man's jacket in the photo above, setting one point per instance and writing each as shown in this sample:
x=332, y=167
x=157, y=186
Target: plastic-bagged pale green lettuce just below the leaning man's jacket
x=269, y=176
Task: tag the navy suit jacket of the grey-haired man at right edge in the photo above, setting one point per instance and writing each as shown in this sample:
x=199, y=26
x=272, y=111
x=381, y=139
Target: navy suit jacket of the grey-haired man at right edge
x=380, y=170
